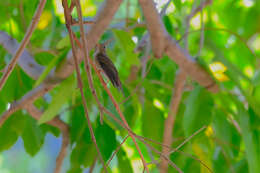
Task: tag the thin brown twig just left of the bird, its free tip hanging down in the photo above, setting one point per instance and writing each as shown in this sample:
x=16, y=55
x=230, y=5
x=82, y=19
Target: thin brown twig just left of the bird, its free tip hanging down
x=86, y=59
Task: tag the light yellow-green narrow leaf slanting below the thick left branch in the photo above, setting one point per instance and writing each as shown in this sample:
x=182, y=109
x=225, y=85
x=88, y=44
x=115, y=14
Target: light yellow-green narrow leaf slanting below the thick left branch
x=59, y=99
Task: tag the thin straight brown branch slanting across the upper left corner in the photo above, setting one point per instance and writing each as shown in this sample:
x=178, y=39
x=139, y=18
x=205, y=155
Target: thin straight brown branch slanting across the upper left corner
x=25, y=41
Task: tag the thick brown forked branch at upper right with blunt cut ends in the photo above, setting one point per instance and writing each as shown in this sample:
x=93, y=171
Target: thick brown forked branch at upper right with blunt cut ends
x=165, y=43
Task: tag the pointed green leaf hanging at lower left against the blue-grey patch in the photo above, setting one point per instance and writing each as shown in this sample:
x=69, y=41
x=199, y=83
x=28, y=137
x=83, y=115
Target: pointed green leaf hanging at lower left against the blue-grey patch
x=33, y=136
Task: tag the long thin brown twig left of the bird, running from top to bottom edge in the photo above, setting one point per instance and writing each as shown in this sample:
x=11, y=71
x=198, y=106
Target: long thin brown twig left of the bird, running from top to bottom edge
x=80, y=83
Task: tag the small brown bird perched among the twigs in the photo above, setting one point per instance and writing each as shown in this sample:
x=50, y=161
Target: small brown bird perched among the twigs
x=106, y=65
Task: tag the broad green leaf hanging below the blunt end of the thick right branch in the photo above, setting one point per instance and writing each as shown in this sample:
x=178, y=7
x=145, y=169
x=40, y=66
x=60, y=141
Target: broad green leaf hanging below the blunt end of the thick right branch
x=198, y=111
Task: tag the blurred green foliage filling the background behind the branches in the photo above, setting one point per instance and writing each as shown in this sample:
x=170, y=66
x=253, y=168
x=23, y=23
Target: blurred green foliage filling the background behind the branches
x=231, y=141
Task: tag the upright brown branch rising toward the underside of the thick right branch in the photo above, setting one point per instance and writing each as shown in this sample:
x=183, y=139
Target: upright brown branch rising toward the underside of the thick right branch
x=169, y=122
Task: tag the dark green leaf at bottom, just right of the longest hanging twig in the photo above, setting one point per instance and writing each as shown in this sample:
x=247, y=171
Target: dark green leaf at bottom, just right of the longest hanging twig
x=106, y=140
